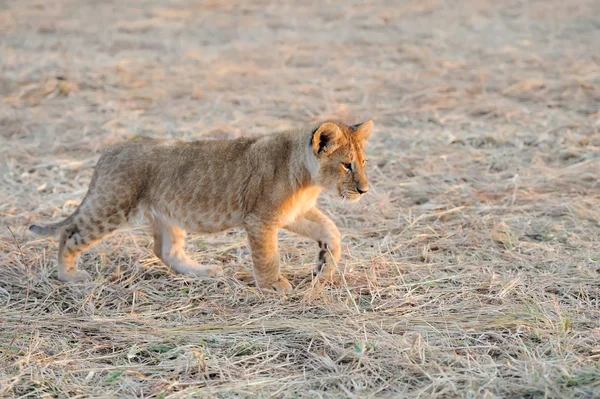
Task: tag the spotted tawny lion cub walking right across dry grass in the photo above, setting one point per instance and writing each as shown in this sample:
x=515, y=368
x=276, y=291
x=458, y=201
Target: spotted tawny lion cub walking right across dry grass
x=261, y=184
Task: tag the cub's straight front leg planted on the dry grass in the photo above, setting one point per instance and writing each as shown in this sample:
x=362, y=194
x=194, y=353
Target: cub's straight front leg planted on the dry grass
x=263, y=244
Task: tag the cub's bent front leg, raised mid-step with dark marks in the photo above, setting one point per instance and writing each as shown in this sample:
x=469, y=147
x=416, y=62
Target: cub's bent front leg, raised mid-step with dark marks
x=314, y=224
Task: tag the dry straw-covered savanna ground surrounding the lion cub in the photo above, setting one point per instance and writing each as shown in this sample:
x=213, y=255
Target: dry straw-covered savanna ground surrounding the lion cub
x=471, y=270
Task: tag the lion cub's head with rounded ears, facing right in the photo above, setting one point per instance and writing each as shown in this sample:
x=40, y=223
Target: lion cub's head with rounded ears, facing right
x=339, y=150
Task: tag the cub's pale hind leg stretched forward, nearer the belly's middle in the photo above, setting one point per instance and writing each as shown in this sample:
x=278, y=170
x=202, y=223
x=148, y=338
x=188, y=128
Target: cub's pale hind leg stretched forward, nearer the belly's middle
x=169, y=246
